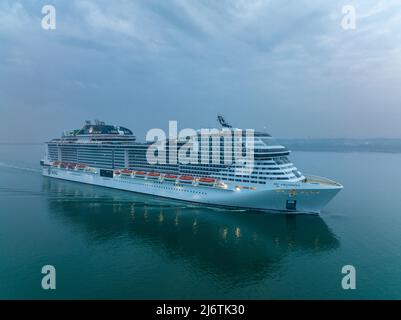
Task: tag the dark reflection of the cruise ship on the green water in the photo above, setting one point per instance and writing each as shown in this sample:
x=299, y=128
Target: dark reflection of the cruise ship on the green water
x=236, y=247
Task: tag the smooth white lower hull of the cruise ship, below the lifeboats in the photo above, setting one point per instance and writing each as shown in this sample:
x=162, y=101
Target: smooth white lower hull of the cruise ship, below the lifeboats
x=307, y=197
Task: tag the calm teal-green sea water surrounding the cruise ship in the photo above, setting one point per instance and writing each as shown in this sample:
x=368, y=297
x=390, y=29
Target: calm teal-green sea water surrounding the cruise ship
x=113, y=244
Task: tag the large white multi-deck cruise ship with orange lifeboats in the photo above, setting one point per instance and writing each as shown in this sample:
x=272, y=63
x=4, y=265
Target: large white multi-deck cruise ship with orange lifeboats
x=110, y=156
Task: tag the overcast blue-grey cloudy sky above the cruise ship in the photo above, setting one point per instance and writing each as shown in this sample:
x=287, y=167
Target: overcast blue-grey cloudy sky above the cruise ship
x=286, y=67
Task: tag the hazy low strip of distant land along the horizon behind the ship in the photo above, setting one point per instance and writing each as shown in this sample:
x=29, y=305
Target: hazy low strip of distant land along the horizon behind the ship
x=385, y=145
